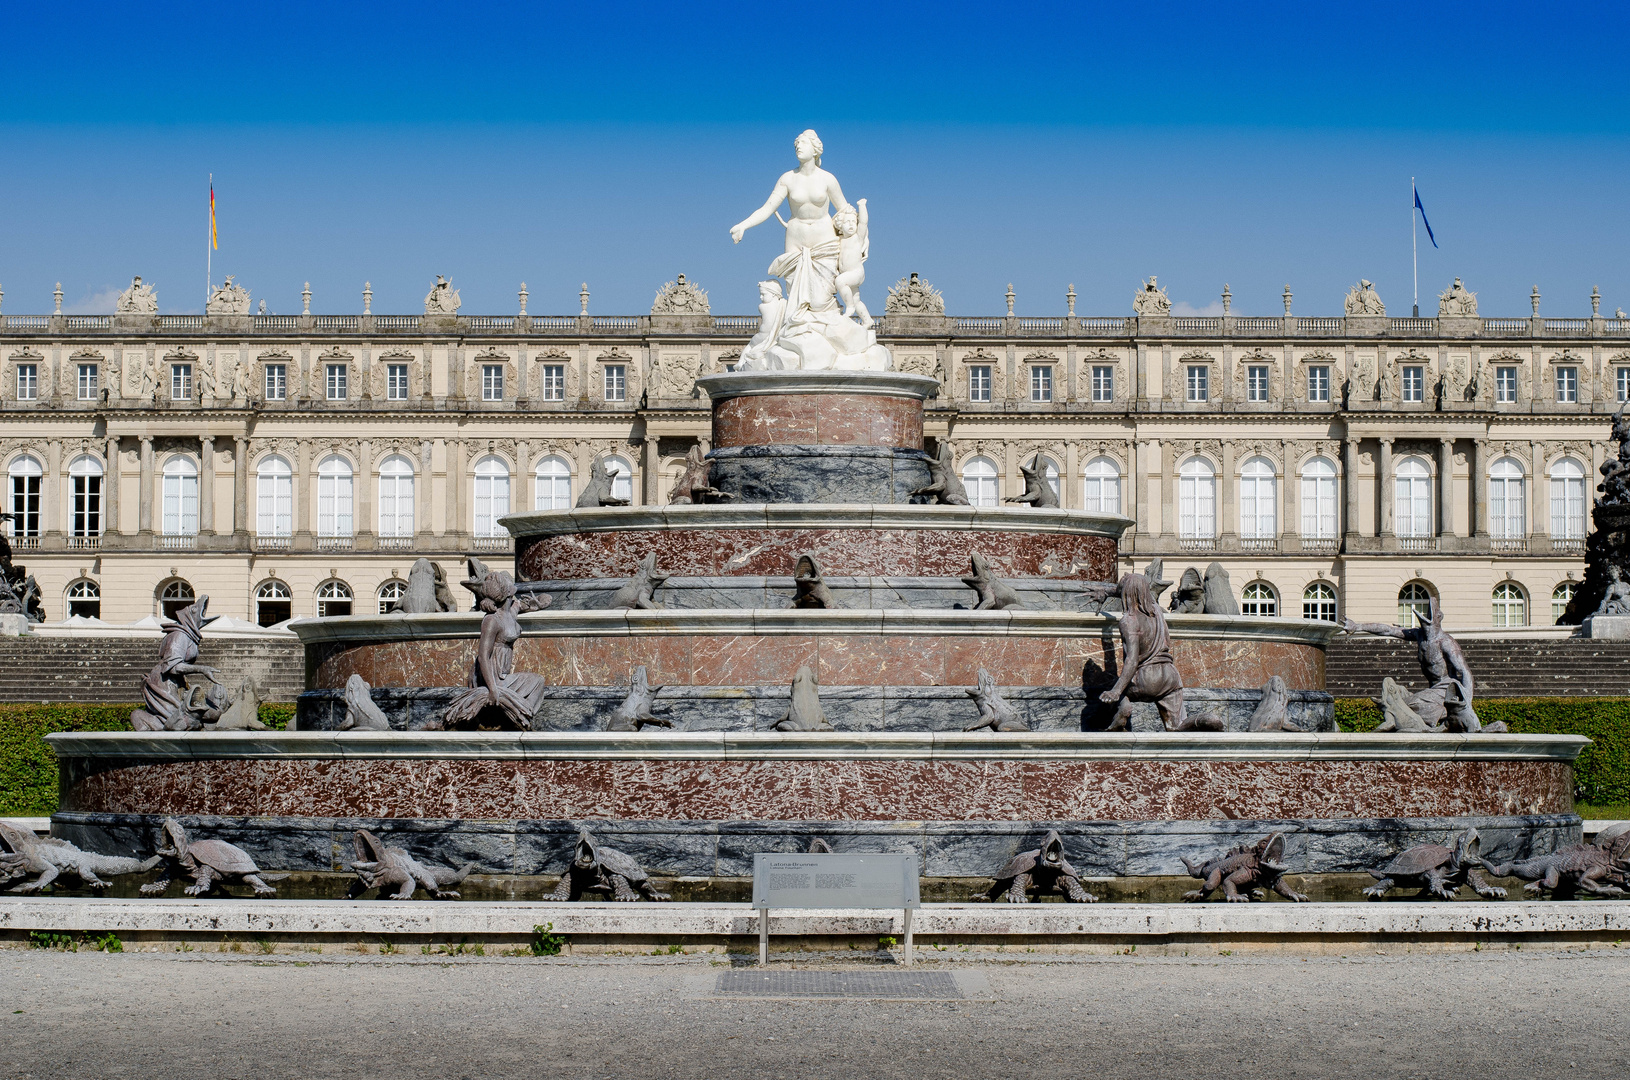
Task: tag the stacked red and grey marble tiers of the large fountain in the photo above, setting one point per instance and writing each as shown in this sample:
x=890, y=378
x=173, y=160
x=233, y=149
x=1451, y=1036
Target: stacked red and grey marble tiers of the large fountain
x=826, y=465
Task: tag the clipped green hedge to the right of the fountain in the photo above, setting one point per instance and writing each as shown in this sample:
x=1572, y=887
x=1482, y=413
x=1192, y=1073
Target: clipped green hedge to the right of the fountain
x=1603, y=771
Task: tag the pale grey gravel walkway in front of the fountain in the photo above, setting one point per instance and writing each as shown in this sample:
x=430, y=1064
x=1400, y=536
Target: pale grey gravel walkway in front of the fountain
x=1484, y=1016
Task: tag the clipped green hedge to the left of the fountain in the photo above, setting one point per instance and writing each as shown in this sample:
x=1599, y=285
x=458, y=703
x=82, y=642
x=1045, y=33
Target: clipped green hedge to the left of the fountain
x=29, y=768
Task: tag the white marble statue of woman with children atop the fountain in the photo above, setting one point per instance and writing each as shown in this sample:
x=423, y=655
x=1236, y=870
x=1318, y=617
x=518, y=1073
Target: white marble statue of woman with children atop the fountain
x=809, y=330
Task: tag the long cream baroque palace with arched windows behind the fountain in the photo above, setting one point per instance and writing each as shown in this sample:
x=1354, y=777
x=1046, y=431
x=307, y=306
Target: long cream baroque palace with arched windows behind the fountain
x=299, y=465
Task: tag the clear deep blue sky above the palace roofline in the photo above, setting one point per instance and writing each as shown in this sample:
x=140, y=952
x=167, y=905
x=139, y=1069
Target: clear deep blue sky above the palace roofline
x=1034, y=144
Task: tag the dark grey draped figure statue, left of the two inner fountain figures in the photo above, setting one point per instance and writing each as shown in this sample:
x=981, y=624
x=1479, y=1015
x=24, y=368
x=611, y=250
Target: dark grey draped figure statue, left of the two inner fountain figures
x=495, y=682
